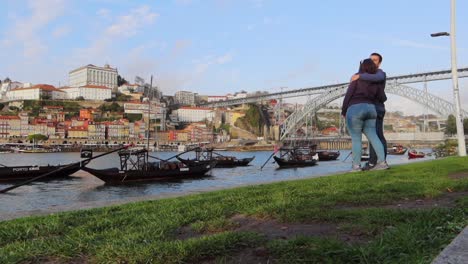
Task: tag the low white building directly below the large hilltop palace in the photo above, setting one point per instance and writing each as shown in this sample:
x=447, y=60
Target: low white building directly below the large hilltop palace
x=88, y=92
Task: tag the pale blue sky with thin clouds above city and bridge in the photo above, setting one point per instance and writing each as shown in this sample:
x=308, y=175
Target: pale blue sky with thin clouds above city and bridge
x=216, y=47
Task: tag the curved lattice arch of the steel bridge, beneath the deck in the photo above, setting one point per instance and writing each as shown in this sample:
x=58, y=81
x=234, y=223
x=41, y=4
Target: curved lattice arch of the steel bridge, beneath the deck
x=435, y=103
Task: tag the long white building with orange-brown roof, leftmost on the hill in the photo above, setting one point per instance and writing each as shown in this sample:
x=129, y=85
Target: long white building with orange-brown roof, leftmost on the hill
x=36, y=92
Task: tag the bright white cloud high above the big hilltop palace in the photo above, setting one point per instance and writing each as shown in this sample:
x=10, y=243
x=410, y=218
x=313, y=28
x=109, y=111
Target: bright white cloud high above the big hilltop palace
x=128, y=25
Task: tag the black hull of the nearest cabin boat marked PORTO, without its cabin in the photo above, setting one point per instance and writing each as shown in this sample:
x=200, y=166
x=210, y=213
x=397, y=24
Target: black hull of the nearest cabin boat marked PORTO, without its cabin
x=116, y=176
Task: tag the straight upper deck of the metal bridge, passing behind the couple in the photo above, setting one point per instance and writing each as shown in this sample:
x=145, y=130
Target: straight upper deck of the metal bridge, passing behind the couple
x=400, y=79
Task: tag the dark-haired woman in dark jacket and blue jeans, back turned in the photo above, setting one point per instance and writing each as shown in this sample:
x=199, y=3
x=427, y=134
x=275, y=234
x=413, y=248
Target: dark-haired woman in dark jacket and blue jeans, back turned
x=359, y=110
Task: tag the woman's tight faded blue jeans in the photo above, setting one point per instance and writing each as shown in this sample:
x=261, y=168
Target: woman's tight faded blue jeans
x=361, y=118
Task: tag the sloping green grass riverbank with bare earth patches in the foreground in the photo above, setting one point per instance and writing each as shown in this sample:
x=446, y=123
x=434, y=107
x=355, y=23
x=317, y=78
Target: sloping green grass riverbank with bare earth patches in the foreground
x=345, y=218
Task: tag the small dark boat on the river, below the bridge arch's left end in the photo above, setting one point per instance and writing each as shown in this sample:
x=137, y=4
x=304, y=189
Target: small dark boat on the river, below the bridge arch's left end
x=297, y=157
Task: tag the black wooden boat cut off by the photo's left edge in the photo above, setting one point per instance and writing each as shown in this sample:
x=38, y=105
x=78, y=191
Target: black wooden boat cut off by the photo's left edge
x=22, y=173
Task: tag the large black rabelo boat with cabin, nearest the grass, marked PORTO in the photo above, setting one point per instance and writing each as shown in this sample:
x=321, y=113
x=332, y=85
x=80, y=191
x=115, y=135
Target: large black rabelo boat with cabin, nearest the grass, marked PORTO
x=135, y=167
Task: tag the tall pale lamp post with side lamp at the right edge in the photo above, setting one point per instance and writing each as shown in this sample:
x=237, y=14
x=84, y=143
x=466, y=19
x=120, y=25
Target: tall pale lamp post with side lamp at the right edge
x=456, y=93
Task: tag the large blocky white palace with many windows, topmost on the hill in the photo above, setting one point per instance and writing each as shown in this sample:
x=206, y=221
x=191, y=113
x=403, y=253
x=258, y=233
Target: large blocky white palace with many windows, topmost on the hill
x=93, y=75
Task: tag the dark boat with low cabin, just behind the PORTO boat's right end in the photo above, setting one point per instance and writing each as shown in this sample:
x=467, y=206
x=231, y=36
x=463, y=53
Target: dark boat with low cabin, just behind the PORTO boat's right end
x=205, y=156
